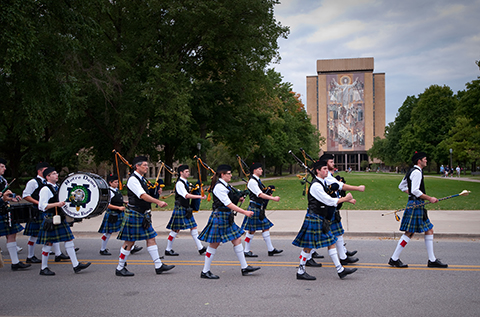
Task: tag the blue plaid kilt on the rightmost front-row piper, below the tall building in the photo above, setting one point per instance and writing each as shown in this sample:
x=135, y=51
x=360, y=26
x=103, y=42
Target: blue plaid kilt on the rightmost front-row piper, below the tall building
x=310, y=235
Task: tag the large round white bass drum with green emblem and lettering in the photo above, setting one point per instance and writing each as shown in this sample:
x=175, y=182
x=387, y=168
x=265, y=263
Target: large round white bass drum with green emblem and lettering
x=86, y=195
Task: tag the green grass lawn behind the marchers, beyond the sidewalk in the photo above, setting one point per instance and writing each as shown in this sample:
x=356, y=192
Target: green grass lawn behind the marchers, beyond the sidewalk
x=381, y=193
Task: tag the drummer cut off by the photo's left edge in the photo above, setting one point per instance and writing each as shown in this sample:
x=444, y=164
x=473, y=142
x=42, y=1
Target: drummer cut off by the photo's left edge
x=7, y=228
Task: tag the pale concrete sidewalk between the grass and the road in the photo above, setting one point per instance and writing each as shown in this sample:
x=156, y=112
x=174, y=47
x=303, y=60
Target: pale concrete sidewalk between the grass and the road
x=464, y=224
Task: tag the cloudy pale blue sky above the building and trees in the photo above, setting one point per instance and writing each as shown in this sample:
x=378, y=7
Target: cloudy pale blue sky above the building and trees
x=416, y=43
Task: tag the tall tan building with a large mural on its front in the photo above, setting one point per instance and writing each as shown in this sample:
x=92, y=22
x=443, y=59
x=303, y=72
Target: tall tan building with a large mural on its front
x=346, y=101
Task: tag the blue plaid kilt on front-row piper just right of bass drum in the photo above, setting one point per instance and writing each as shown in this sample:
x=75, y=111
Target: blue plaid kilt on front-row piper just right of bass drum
x=132, y=229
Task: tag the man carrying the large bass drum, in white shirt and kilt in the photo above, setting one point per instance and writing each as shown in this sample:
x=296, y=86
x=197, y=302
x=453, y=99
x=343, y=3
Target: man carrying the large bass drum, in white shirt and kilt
x=49, y=232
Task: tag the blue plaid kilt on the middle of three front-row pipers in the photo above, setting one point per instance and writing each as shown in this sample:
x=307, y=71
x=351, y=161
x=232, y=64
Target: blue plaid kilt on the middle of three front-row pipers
x=218, y=229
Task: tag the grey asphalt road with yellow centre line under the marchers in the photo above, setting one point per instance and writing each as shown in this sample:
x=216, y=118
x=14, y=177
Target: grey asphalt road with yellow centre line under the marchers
x=374, y=290
